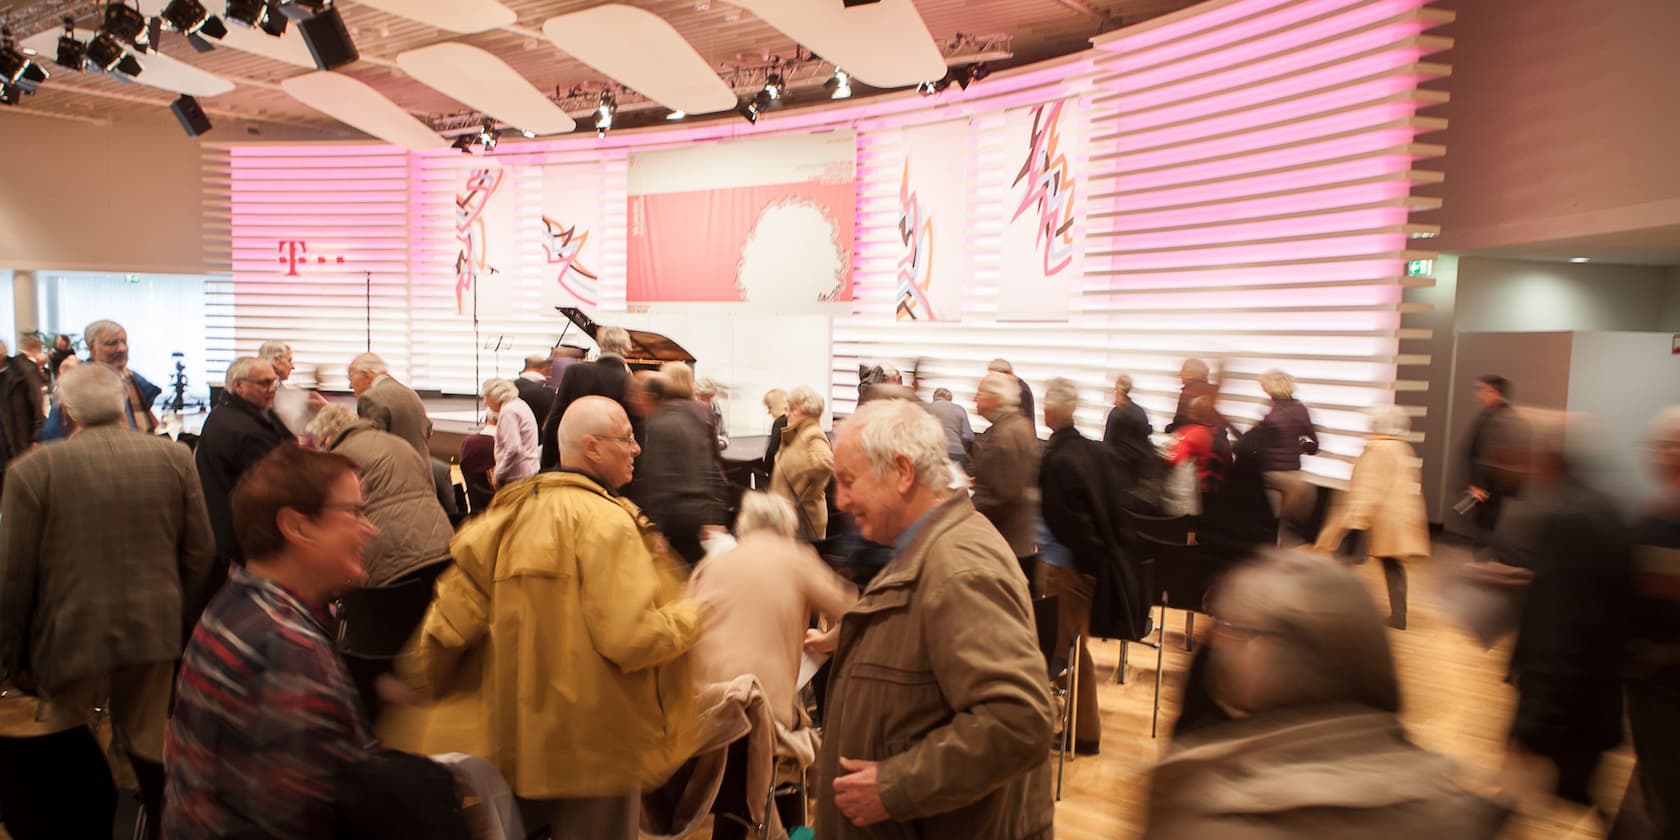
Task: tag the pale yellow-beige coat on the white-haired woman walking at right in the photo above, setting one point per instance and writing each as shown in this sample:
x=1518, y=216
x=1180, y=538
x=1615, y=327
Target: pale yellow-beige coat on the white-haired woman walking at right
x=1383, y=498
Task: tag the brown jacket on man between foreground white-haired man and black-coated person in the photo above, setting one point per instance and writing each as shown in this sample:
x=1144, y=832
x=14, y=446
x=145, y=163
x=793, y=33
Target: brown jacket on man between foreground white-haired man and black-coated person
x=1005, y=468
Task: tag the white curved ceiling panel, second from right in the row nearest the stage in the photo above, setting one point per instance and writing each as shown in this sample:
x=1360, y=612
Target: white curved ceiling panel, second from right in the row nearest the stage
x=643, y=53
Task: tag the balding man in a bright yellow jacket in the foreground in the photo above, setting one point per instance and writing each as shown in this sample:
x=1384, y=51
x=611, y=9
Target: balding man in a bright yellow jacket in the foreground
x=557, y=646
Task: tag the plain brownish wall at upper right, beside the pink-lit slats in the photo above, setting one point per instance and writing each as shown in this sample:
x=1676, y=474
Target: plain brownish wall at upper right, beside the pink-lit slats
x=1563, y=120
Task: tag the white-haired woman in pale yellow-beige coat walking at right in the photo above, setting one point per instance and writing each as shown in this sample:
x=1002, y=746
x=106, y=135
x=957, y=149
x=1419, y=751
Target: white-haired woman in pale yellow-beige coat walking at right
x=1385, y=500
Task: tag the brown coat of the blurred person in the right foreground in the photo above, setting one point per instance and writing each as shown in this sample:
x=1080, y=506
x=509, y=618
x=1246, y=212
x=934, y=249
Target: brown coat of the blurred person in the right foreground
x=1326, y=774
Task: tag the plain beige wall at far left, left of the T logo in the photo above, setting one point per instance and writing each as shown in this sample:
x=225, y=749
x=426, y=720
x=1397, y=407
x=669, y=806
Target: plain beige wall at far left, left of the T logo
x=81, y=197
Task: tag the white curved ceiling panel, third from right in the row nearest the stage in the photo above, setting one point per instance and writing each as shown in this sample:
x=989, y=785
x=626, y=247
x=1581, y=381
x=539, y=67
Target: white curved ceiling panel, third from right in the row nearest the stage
x=480, y=80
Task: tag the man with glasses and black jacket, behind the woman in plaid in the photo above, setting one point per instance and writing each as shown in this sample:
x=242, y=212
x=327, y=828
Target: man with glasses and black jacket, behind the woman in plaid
x=238, y=434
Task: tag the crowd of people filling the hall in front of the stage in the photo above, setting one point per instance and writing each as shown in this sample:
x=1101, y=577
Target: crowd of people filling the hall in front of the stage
x=609, y=626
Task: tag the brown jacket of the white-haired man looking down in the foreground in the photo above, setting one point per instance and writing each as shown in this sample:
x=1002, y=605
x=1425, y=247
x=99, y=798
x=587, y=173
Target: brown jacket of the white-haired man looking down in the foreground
x=940, y=680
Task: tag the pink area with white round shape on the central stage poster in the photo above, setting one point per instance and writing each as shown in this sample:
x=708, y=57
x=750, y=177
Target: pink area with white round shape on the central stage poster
x=787, y=244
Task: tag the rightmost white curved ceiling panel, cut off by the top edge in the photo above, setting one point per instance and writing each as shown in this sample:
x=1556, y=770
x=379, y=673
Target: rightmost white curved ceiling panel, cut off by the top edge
x=883, y=45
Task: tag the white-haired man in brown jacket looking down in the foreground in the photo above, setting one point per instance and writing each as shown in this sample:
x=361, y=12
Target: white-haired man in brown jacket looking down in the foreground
x=938, y=717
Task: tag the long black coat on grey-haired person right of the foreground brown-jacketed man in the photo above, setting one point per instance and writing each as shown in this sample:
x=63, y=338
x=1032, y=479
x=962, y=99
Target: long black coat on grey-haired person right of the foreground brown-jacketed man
x=1081, y=485
